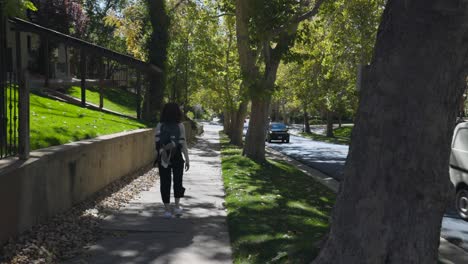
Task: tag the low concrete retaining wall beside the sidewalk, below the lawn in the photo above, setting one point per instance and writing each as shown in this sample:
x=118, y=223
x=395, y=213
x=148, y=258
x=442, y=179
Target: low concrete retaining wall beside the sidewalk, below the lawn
x=56, y=178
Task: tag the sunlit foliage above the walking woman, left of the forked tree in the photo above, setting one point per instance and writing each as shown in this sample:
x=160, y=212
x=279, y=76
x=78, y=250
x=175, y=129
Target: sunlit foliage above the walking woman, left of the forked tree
x=202, y=59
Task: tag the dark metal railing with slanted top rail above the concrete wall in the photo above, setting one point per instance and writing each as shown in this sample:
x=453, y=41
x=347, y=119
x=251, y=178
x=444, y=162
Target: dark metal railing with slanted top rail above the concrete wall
x=89, y=65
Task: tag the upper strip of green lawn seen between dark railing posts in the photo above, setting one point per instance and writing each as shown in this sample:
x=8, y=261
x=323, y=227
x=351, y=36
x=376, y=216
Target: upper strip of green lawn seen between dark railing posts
x=115, y=99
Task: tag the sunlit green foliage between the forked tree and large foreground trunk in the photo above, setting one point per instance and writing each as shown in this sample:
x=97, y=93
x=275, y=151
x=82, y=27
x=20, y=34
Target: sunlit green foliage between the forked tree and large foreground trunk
x=321, y=68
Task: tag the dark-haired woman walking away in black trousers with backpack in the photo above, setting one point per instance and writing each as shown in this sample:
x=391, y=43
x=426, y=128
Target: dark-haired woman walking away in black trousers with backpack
x=170, y=145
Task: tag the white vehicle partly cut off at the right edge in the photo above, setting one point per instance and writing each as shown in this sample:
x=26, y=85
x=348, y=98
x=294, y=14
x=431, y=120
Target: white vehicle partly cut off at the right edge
x=459, y=168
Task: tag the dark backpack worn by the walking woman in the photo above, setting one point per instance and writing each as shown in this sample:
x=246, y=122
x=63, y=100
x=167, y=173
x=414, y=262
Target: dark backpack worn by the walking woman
x=169, y=147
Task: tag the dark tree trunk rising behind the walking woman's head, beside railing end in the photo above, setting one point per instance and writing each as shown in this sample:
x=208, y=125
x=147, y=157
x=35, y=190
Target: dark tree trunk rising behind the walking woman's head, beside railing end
x=158, y=45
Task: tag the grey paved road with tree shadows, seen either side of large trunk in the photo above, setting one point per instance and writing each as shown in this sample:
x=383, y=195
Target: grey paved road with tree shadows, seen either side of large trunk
x=330, y=159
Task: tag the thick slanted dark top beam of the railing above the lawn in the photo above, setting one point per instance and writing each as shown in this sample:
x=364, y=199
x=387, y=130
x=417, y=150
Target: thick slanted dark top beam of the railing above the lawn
x=25, y=26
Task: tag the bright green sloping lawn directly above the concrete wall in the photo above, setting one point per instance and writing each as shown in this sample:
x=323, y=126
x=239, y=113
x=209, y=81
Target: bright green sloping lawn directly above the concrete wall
x=55, y=123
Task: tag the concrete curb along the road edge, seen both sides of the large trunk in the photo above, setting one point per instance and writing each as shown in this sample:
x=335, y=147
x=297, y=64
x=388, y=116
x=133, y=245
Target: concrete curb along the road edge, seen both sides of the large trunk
x=448, y=252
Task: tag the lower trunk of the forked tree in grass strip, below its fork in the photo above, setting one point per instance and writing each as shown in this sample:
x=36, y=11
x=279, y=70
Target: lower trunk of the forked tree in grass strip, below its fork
x=255, y=140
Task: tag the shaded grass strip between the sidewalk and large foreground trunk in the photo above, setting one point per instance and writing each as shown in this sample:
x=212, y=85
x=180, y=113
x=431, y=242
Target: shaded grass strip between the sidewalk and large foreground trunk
x=276, y=214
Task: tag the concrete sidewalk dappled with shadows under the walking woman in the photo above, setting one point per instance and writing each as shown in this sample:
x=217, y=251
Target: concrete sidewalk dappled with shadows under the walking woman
x=139, y=234
